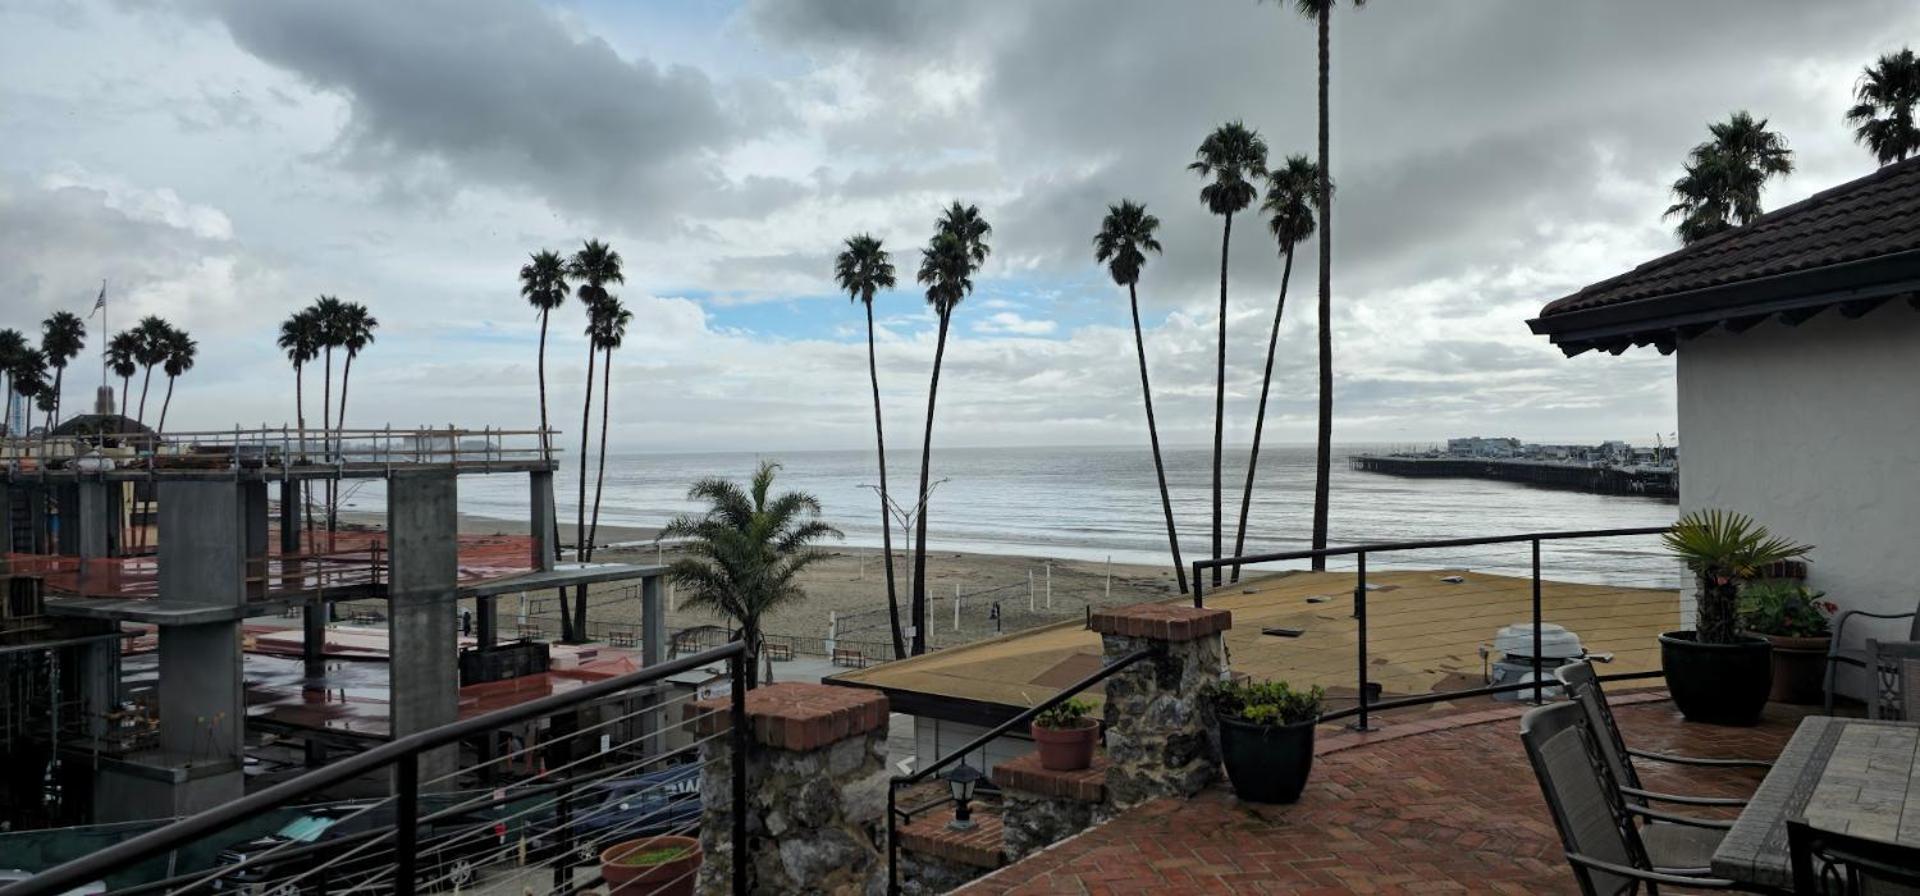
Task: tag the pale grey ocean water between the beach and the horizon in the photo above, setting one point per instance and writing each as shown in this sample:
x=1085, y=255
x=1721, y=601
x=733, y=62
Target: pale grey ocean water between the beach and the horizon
x=1097, y=504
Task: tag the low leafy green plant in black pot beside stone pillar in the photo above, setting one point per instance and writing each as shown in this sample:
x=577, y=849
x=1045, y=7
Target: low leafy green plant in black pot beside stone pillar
x=1266, y=738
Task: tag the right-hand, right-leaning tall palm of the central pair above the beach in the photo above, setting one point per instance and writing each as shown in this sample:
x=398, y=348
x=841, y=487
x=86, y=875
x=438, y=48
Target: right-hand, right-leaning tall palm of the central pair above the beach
x=948, y=266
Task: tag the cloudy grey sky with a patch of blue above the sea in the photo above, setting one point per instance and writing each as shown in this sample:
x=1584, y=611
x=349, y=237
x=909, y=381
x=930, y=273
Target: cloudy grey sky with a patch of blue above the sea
x=224, y=162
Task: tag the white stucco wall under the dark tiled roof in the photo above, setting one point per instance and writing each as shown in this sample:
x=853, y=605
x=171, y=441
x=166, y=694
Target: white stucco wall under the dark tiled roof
x=1815, y=433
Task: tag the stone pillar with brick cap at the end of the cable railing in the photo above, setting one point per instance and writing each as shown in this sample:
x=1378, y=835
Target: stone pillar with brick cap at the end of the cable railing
x=817, y=790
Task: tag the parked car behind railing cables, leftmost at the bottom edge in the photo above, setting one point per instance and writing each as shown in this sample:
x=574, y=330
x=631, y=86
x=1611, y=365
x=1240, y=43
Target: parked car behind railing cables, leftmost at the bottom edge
x=450, y=853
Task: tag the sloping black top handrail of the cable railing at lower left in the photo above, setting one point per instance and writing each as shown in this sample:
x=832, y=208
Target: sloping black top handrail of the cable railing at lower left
x=97, y=864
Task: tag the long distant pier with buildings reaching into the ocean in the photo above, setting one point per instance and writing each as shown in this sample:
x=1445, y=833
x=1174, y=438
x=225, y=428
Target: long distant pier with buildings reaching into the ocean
x=1612, y=469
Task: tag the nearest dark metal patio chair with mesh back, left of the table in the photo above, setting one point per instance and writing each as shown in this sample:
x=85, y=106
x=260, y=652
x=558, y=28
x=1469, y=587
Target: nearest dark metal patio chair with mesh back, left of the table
x=1610, y=853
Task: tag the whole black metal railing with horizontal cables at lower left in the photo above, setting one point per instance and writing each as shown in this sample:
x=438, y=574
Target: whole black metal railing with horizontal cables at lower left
x=573, y=791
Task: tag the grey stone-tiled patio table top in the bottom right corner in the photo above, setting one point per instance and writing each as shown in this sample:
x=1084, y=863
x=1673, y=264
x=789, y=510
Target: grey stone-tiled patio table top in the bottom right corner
x=1846, y=776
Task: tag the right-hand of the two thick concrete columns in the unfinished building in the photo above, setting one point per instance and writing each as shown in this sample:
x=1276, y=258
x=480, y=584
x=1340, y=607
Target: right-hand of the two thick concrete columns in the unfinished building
x=423, y=523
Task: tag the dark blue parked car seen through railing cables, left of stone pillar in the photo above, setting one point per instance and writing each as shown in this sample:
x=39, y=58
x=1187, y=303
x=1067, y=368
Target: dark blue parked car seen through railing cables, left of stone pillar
x=617, y=811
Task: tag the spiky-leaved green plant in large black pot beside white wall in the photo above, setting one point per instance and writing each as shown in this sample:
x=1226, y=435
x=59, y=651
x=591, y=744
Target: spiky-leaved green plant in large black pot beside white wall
x=1716, y=672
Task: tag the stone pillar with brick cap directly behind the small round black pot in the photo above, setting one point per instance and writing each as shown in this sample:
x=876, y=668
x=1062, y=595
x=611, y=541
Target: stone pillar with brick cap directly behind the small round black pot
x=1157, y=734
